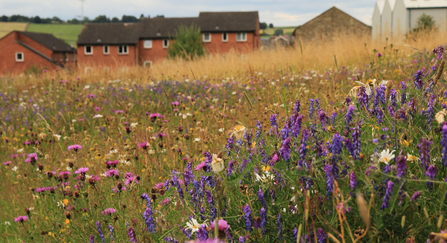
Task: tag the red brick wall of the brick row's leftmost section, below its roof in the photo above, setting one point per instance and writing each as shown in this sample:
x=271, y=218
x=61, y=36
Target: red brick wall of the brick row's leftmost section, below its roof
x=113, y=59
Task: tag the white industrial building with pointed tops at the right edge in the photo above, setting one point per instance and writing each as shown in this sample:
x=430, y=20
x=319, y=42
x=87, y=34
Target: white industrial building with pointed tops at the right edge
x=393, y=18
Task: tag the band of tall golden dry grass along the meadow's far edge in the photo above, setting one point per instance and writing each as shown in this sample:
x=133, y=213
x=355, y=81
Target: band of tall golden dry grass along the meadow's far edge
x=319, y=54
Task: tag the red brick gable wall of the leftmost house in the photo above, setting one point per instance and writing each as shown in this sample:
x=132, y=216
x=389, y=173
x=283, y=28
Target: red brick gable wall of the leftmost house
x=8, y=64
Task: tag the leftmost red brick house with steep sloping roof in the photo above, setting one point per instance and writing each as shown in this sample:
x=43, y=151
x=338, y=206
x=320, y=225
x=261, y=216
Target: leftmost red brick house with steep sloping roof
x=20, y=51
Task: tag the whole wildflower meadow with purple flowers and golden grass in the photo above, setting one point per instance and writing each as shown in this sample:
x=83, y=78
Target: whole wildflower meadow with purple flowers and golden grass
x=330, y=141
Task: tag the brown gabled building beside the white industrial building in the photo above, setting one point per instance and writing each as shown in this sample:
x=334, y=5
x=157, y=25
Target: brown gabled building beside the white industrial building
x=330, y=24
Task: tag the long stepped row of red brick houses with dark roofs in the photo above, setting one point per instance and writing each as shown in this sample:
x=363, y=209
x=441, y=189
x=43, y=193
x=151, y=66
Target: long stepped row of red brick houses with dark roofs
x=148, y=41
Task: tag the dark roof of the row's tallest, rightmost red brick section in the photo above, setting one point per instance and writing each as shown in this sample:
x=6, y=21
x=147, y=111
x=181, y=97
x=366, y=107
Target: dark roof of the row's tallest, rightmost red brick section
x=228, y=21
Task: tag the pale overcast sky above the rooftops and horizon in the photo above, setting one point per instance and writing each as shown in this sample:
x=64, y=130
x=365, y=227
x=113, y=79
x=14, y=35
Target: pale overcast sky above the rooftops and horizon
x=278, y=12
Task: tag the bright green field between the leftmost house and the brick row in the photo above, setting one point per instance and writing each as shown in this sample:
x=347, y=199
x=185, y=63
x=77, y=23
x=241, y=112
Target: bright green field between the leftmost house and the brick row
x=67, y=32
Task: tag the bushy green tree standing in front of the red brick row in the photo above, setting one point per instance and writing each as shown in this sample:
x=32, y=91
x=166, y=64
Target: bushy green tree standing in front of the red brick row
x=188, y=44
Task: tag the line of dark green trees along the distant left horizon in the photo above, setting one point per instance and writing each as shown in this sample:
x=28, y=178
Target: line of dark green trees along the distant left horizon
x=57, y=20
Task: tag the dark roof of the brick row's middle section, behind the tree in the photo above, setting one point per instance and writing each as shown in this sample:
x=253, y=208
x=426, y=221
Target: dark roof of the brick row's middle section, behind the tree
x=163, y=27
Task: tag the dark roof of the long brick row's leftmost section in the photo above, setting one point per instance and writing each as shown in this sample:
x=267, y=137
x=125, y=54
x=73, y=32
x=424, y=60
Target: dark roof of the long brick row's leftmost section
x=109, y=33
